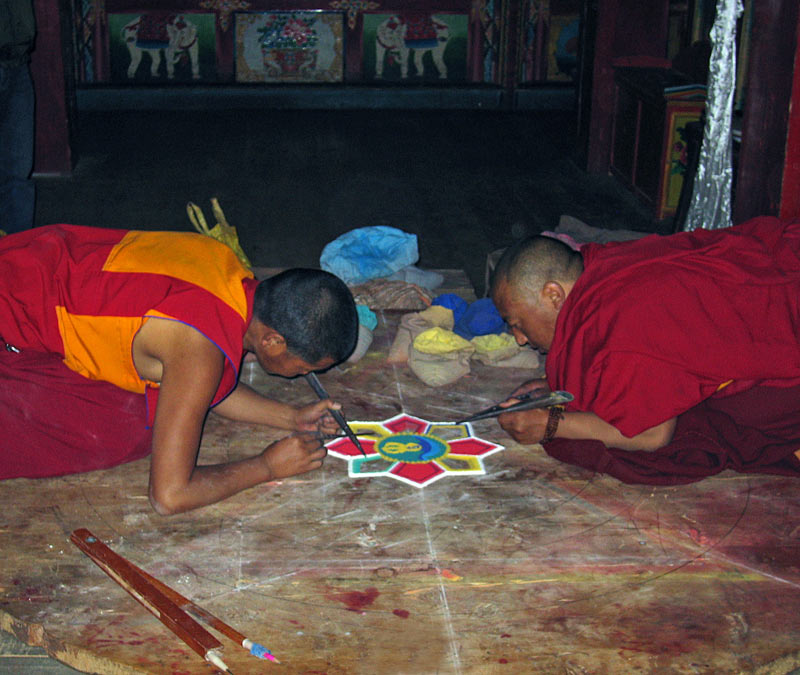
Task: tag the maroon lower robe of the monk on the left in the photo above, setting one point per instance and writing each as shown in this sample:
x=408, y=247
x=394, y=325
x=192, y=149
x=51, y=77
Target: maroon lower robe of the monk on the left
x=56, y=422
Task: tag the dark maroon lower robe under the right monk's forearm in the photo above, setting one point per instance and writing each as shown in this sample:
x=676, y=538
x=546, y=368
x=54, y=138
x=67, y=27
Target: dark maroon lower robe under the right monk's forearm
x=755, y=431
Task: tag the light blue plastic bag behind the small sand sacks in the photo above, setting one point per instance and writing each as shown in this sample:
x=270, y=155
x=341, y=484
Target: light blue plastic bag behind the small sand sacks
x=368, y=253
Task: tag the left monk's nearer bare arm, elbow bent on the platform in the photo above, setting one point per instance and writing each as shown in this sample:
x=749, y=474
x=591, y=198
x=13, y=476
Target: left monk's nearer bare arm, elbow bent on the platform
x=191, y=368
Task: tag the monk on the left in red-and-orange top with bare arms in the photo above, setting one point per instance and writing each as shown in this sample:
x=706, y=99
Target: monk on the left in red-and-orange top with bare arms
x=115, y=344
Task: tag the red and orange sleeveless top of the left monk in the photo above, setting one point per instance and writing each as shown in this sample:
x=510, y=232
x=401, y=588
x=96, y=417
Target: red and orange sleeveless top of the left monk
x=84, y=292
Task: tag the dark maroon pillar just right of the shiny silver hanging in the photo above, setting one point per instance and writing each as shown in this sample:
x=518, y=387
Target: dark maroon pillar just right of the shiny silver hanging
x=764, y=154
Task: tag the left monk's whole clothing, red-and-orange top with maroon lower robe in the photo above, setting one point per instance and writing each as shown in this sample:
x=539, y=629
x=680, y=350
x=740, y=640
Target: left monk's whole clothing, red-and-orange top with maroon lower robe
x=72, y=299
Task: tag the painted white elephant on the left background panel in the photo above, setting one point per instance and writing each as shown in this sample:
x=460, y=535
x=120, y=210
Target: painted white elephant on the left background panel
x=153, y=33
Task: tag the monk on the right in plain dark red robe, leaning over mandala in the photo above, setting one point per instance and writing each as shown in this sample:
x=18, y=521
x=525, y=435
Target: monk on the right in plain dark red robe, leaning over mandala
x=682, y=352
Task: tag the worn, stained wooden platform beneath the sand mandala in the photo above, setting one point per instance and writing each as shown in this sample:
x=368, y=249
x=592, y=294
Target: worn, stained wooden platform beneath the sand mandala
x=535, y=567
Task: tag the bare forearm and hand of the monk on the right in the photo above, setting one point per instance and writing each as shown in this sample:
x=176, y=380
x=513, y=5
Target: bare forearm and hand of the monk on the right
x=529, y=427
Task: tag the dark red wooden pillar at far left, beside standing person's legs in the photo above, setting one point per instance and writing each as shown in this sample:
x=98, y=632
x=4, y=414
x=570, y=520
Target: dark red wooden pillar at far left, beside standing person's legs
x=54, y=88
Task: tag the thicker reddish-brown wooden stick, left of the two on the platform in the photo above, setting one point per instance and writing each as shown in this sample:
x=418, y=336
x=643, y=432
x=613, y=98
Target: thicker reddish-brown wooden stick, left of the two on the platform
x=150, y=597
